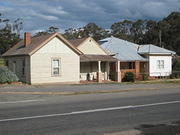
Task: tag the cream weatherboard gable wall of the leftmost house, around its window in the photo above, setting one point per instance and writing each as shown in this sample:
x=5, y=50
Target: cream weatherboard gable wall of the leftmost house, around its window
x=41, y=68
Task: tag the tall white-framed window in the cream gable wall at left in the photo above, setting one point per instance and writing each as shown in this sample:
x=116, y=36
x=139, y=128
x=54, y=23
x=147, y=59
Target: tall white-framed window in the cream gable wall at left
x=55, y=67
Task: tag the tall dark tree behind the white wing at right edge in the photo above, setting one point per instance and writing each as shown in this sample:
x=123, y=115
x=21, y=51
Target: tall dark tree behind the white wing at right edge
x=165, y=33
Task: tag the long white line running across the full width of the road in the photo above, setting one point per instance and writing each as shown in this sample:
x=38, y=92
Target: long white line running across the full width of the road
x=89, y=111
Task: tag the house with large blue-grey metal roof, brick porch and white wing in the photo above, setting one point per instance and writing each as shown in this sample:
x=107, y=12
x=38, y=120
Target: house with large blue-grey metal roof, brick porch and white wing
x=151, y=59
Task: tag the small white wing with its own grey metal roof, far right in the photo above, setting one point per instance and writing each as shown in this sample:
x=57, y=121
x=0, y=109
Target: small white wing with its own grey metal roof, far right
x=160, y=59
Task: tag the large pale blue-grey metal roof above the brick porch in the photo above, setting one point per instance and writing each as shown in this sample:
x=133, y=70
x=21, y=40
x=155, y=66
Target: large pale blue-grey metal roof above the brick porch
x=121, y=49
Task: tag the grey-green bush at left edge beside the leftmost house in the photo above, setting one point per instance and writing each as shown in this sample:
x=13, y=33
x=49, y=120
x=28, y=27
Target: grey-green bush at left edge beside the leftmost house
x=6, y=76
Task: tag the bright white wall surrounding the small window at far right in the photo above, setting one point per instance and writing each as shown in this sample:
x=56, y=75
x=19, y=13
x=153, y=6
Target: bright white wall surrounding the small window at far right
x=153, y=68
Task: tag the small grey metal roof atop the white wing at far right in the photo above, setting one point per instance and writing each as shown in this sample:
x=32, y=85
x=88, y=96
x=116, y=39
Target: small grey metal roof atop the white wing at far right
x=152, y=49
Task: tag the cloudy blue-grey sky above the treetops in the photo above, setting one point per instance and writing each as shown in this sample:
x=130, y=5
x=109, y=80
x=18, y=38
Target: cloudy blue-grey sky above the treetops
x=38, y=15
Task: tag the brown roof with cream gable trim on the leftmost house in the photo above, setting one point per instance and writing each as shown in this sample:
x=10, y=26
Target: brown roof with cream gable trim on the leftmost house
x=36, y=44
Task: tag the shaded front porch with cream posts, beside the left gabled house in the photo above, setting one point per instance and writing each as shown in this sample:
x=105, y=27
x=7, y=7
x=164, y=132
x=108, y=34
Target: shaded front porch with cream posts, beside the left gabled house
x=97, y=68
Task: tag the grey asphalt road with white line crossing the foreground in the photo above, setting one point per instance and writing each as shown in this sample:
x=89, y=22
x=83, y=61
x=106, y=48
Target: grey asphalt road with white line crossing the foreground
x=89, y=114
